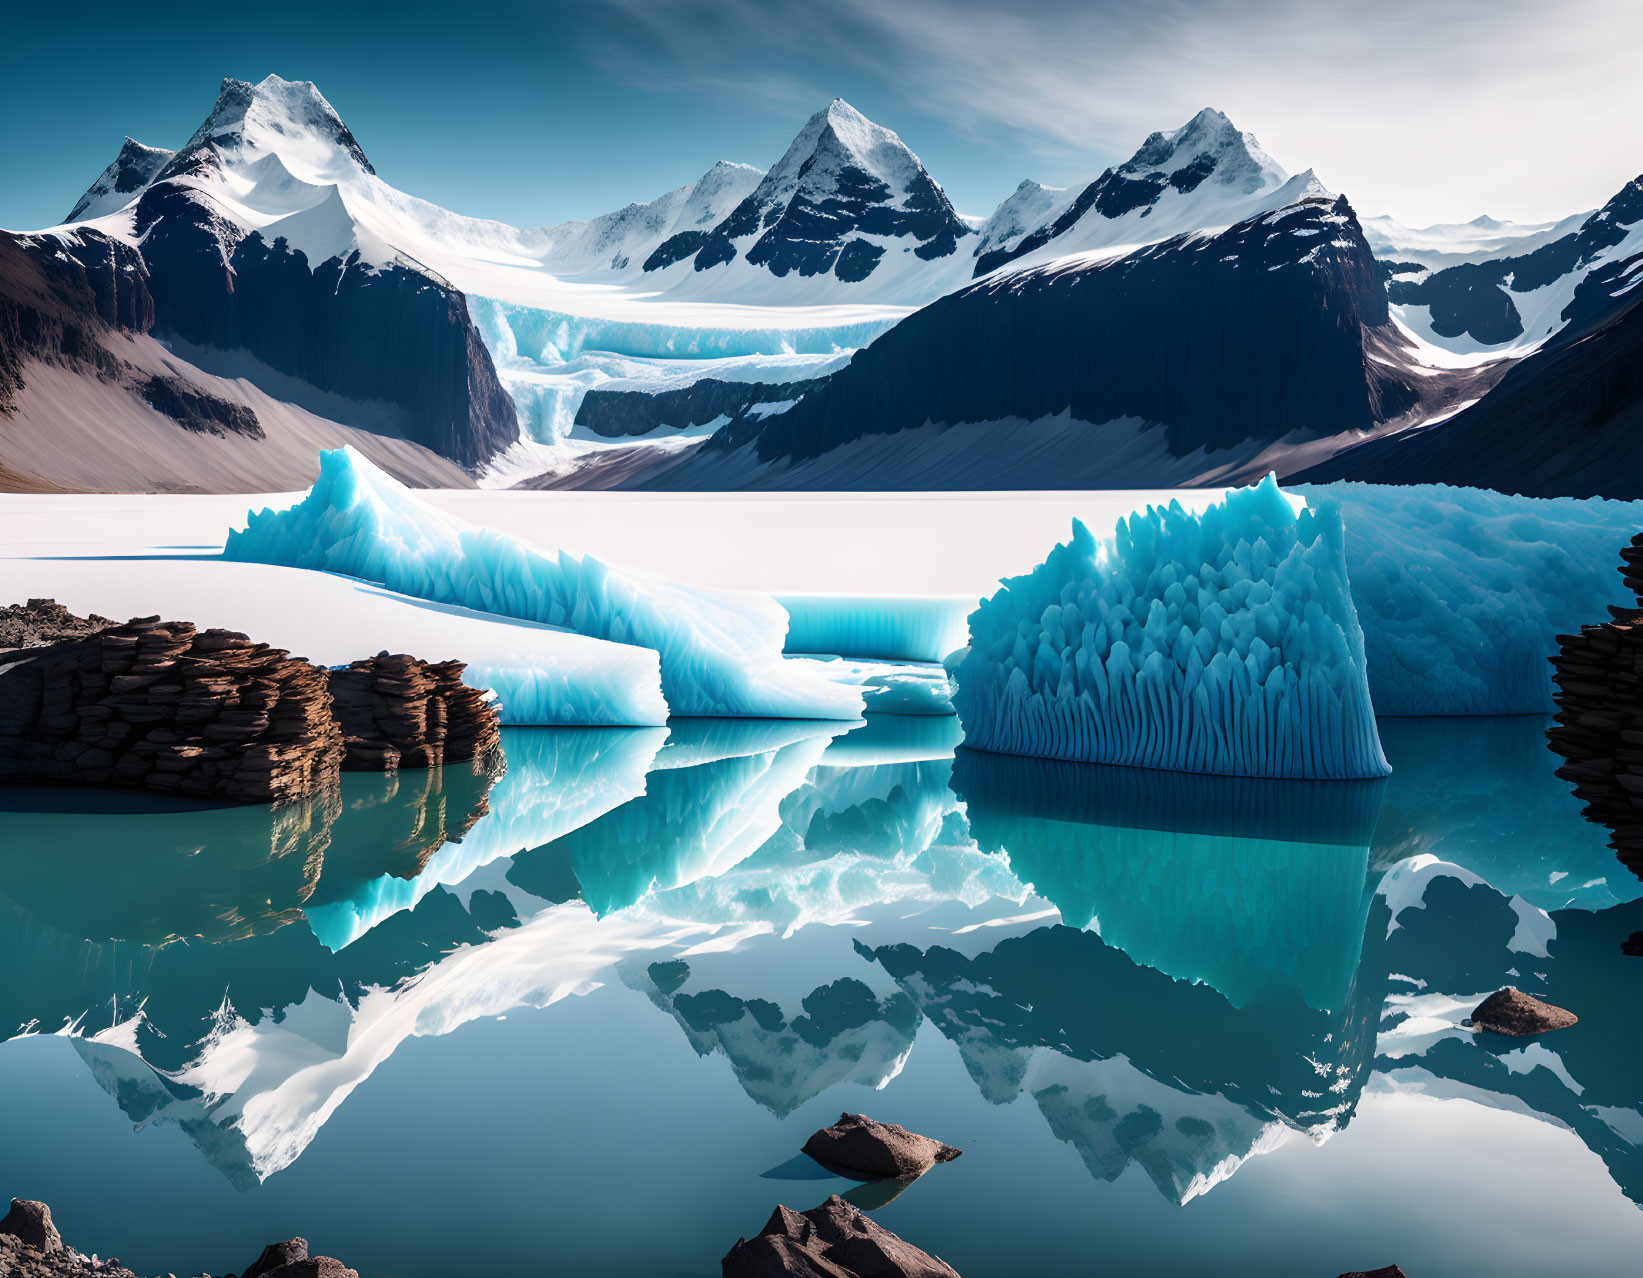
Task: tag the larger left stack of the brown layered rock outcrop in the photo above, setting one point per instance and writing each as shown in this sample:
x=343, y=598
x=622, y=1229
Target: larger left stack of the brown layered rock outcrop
x=172, y=709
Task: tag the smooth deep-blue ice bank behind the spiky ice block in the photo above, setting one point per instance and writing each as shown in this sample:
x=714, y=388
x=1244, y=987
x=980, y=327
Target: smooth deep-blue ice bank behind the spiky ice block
x=1463, y=592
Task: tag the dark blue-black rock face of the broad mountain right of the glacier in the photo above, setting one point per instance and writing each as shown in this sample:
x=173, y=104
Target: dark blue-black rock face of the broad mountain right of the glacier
x=1274, y=328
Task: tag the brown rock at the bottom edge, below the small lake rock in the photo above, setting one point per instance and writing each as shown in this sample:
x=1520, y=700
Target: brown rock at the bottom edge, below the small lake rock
x=834, y=1241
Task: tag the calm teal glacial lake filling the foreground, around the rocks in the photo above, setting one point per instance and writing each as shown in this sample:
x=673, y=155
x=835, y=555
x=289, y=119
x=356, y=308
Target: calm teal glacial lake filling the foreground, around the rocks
x=579, y=1016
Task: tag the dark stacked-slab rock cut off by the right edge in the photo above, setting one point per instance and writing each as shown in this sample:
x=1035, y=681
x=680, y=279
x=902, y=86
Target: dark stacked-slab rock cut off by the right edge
x=1599, y=732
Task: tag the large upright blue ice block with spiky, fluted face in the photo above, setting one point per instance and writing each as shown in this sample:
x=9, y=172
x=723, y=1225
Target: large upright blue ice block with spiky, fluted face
x=1218, y=643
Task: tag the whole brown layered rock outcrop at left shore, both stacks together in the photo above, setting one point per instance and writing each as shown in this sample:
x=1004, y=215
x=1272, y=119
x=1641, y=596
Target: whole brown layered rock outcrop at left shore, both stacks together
x=162, y=706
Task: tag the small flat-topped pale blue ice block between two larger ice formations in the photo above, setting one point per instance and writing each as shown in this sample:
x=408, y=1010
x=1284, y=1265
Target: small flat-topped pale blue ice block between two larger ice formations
x=911, y=628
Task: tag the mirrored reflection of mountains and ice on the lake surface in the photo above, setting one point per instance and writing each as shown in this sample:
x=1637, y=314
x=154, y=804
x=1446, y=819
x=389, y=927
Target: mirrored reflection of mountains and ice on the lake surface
x=1167, y=973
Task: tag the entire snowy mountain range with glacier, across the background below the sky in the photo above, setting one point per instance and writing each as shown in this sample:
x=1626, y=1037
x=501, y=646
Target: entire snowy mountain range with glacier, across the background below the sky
x=264, y=290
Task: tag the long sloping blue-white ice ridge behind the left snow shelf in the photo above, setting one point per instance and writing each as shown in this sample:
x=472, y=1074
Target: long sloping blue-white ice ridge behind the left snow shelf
x=720, y=651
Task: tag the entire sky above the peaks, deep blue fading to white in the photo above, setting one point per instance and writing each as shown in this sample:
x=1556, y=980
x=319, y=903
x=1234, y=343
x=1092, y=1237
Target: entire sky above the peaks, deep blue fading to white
x=540, y=113
